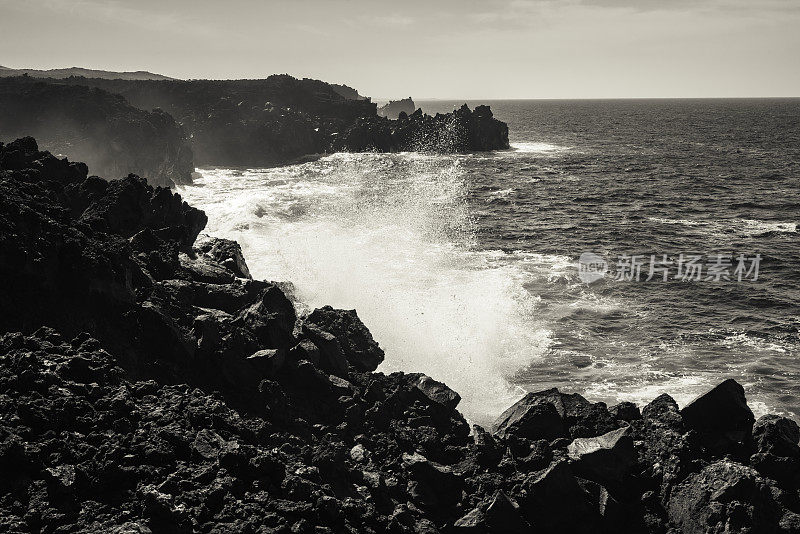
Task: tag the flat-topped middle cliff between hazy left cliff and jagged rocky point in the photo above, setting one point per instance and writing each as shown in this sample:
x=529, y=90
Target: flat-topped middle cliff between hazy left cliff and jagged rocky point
x=263, y=122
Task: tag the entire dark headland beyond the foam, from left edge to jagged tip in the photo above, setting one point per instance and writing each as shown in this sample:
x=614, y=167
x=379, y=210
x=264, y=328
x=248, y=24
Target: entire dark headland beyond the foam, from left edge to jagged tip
x=262, y=123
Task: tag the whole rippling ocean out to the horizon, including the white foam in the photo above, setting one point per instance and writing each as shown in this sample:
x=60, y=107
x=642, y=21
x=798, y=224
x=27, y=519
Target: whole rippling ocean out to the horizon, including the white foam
x=469, y=267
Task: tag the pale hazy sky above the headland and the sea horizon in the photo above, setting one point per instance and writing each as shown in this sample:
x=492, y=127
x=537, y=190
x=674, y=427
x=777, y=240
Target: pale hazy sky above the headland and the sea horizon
x=429, y=48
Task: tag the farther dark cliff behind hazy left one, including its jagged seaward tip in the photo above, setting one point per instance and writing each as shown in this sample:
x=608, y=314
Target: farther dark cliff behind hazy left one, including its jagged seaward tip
x=280, y=119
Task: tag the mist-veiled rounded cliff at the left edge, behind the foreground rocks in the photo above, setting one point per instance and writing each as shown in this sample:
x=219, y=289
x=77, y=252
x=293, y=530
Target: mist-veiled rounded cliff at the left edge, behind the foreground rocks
x=98, y=127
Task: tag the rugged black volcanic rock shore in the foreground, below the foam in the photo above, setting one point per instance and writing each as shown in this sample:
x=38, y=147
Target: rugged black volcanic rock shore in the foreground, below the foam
x=149, y=384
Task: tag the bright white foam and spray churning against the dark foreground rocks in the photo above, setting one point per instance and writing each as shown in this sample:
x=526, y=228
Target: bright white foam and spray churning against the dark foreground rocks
x=391, y=236
